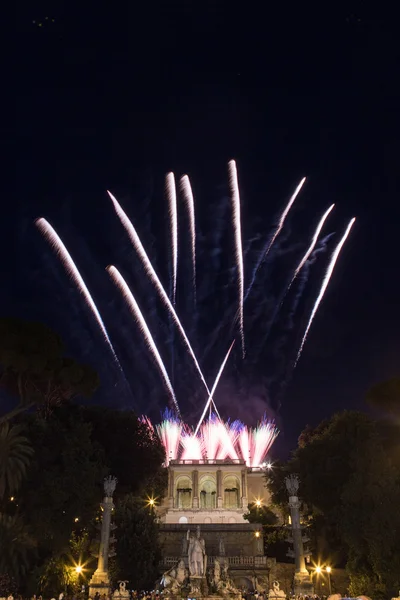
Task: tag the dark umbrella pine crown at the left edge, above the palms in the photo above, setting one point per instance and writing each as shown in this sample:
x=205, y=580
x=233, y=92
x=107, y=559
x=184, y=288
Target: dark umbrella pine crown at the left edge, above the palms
x=35, y=370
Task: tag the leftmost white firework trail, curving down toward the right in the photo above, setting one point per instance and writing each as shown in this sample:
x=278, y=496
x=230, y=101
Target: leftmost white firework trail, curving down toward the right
x=58, y=245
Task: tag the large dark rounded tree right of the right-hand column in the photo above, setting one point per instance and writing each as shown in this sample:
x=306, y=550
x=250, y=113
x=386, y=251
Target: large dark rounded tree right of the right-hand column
x=350, y=482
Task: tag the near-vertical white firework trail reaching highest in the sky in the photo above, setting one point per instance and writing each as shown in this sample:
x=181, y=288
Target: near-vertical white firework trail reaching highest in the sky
x=233, y=182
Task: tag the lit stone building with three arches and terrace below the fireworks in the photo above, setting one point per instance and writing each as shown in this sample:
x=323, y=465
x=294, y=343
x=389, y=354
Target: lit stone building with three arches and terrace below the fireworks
x=215, y=494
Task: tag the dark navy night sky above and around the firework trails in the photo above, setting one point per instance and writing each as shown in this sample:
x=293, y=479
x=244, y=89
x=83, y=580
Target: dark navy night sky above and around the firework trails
x=113, y=95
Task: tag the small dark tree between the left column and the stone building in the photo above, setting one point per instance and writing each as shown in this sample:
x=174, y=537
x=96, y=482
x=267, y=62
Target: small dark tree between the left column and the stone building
x=138, y=550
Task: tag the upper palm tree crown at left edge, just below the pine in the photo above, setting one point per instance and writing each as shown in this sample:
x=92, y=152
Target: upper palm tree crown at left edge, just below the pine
x=15, y=453
